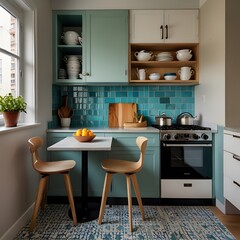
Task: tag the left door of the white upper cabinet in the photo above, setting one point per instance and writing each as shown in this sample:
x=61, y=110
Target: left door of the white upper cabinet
x=146, y=26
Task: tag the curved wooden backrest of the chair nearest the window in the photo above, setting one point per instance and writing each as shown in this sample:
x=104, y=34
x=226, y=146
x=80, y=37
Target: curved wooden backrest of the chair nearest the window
x=34, y=144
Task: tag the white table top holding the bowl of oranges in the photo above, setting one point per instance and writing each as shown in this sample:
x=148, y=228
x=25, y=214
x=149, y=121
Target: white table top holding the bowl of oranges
x=71, y=144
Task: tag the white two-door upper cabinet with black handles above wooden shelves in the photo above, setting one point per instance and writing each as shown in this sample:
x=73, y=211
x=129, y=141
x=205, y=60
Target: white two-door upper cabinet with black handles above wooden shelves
x=164, y=26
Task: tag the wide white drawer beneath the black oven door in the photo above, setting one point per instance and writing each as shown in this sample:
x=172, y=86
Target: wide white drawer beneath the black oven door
x=186, y=188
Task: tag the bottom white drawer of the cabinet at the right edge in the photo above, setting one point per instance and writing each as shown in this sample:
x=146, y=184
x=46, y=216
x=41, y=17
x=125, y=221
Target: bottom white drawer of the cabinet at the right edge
x=232, y=192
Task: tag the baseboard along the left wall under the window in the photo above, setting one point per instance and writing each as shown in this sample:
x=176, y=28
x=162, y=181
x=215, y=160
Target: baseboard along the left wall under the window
x=21, y=222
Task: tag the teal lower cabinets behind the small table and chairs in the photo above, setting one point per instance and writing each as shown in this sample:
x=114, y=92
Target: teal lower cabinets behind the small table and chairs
x=123, y=147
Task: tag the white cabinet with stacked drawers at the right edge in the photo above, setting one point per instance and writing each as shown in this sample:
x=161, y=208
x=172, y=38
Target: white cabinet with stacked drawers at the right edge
x=232, y=167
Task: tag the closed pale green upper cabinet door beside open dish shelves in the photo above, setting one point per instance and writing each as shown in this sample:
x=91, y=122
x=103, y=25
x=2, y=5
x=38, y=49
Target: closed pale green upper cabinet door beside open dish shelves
x=107, y=48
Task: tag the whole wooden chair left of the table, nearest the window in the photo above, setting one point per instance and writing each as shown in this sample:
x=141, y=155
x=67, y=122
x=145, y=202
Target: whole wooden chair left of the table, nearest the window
x=46, y=169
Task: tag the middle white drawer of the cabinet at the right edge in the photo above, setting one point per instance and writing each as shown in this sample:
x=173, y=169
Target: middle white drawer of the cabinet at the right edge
x=231, y=166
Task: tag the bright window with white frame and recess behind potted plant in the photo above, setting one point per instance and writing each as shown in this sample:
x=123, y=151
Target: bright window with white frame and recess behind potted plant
x=17, y=54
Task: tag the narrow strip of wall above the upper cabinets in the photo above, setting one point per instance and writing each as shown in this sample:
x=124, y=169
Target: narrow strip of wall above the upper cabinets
x=125, y=4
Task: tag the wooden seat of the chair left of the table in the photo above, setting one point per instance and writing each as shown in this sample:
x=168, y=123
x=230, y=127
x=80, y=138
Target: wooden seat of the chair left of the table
x=55, y=167
